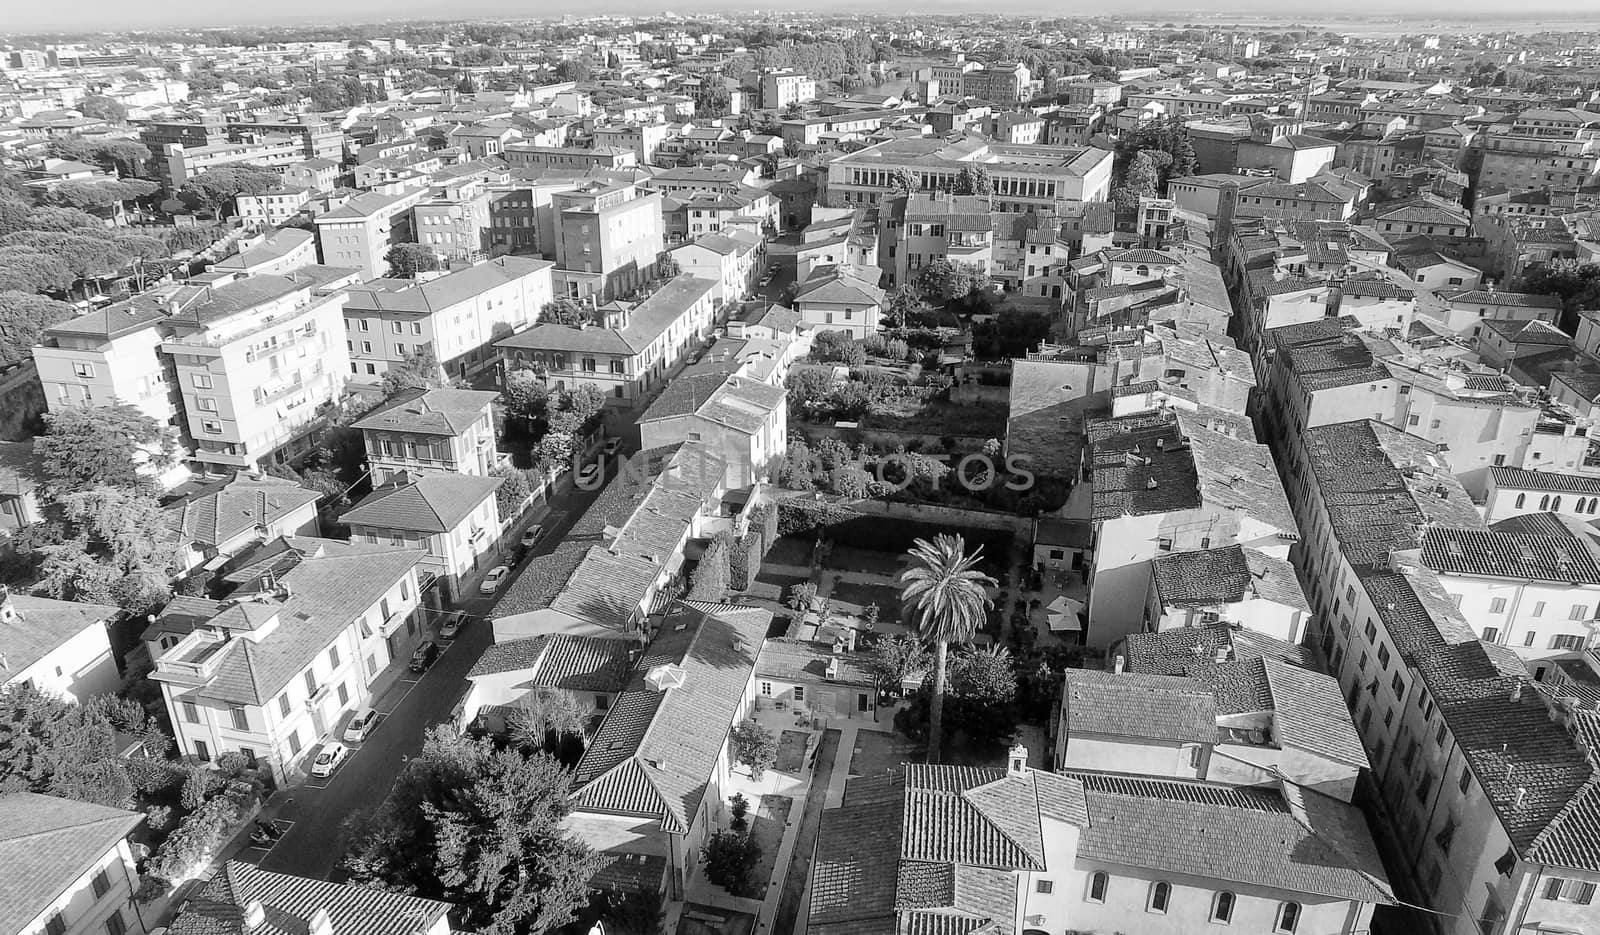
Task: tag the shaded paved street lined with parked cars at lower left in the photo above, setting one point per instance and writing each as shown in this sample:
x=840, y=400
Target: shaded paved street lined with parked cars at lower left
x=318, y=809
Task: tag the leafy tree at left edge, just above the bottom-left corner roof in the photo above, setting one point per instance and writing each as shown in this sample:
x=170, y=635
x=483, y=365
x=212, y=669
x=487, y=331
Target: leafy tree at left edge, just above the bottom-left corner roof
x=68, y=750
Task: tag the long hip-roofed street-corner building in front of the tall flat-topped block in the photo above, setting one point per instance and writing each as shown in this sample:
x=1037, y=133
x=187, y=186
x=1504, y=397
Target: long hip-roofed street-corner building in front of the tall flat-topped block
x=630, y=350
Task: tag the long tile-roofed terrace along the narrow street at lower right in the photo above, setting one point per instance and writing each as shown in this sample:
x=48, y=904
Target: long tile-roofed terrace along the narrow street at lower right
x=1489, y=781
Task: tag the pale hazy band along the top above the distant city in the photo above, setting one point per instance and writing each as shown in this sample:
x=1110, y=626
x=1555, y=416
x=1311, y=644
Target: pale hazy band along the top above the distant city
x=110, y=15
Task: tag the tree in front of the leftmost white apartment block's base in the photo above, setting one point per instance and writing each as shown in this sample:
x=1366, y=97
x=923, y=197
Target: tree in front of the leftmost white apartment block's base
x=100, y=446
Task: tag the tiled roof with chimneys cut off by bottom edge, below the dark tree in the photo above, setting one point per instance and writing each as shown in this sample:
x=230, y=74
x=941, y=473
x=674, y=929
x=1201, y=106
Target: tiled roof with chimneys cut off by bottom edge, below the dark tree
x=290, y=904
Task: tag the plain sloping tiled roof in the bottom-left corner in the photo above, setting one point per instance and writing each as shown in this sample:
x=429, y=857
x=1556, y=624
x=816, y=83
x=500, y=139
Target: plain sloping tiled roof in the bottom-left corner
x=47, y=845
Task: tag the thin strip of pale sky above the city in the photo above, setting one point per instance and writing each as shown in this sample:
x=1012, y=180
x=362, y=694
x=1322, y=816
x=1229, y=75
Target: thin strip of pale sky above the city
x=20, y=15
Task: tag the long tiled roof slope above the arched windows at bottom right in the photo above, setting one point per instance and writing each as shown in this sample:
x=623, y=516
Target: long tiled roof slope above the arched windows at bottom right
x=1282, y=838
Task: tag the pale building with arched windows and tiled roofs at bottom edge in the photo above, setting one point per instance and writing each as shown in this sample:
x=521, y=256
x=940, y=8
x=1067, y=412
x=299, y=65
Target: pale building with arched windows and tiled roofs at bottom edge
x=1100, y=853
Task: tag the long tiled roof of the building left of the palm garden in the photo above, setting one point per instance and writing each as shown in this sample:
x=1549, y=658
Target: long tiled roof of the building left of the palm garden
x=655, y=752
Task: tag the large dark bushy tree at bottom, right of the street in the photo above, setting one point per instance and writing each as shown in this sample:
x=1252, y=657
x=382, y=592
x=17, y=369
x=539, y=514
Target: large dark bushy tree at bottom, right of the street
x=479, y=829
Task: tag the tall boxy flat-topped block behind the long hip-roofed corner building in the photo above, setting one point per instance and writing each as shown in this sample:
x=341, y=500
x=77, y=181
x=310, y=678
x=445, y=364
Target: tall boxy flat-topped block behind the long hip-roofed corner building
x=607, y=239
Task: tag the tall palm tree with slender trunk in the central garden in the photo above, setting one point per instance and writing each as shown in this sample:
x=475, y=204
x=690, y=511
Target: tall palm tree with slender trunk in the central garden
x=948, y=592
